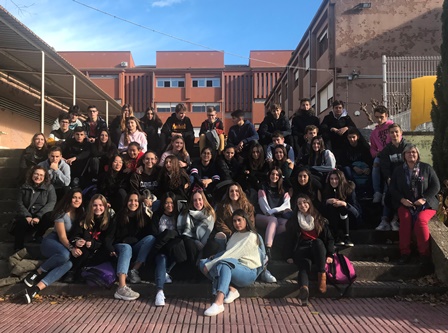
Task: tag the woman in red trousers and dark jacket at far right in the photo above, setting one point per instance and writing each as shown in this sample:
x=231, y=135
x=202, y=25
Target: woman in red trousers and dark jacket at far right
x=414, y=187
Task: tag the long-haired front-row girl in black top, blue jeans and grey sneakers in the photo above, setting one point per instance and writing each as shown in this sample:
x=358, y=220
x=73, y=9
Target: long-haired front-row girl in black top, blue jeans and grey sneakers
x=134, y=237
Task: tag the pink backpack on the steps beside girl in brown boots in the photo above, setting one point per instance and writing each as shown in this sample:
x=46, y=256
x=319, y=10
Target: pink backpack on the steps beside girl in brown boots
x=340, y=271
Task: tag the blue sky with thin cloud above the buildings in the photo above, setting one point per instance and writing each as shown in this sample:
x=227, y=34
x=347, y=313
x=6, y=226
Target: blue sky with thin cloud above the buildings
x=233, y=26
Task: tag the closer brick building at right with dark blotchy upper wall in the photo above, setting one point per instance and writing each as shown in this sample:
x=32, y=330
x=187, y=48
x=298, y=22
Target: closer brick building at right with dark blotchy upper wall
x=340, y=54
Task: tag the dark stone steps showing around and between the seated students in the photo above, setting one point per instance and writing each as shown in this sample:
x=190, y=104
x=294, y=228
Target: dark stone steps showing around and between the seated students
x=374, y=256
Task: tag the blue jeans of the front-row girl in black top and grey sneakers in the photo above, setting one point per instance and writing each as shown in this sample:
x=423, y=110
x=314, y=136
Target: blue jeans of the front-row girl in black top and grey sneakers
x=126, y=252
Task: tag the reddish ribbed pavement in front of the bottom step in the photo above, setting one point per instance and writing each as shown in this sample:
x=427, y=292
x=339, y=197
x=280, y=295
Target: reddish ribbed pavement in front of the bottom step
x=105, y=314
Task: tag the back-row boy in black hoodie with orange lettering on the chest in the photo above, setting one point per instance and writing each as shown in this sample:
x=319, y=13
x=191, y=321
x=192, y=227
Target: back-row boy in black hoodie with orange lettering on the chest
x=178, y=124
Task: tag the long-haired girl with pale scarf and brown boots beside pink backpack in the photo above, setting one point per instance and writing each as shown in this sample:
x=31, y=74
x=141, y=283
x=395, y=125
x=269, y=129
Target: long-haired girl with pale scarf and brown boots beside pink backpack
x=309, y=241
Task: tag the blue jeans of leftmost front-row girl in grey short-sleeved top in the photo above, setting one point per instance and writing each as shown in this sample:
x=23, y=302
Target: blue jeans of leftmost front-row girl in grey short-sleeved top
x=58, y=262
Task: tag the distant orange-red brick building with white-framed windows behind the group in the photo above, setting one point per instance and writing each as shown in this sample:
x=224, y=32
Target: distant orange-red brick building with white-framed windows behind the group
x=196, y=78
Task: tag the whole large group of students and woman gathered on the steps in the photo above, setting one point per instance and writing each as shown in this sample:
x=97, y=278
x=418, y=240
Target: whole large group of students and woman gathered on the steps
x=152, y=205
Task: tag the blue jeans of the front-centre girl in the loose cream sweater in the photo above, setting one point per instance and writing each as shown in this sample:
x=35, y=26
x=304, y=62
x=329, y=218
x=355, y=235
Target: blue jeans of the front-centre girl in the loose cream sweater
x=227, y=271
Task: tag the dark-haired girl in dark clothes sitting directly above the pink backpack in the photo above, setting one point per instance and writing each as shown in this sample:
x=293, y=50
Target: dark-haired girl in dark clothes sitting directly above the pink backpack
x=340, y=205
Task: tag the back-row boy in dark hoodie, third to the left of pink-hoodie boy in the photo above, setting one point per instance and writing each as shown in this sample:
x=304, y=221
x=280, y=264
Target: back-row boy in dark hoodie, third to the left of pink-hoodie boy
x=275, y=121
